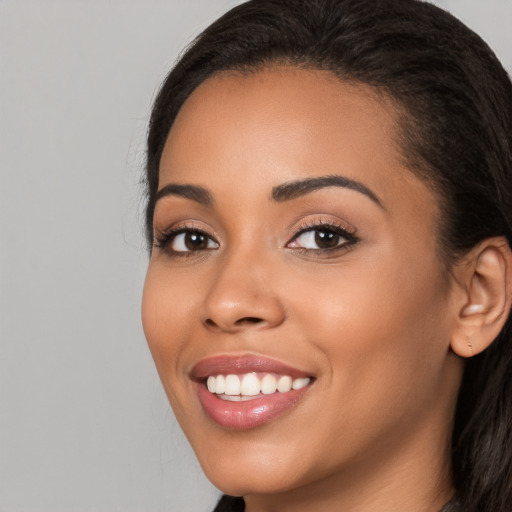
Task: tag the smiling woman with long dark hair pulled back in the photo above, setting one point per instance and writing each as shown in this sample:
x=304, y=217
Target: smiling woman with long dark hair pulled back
x=328, y=297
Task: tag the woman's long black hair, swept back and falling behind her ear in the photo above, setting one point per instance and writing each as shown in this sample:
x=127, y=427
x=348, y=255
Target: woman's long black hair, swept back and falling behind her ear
x=454, y=103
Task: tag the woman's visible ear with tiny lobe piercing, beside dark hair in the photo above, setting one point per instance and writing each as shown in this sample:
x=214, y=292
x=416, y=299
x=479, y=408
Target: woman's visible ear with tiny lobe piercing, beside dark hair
x=485, y=274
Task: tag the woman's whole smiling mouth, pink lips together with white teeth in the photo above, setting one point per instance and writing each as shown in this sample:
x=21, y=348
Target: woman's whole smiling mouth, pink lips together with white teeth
x=247, y=392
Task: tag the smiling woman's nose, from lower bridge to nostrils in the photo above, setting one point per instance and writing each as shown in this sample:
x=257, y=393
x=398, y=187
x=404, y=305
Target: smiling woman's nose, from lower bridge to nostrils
x=242, y=296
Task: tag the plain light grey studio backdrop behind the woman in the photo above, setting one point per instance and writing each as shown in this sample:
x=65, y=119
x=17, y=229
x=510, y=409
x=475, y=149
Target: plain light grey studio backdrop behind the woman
x=84, y=423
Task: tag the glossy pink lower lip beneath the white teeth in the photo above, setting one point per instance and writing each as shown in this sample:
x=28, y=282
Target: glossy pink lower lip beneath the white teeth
x=247, y=414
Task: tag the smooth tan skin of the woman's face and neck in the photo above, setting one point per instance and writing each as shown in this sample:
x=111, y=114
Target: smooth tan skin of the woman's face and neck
x=371, y=321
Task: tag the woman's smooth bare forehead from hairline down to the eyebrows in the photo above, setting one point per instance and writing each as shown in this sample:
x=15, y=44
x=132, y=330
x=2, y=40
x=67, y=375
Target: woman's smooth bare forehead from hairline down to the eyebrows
x=284, y=123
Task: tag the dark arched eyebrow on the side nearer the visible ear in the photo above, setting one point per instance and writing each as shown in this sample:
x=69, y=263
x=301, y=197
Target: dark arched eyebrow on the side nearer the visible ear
x=294, y=189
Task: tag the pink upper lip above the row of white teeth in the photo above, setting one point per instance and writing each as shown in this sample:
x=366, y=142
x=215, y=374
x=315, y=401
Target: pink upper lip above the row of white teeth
x=241, y=364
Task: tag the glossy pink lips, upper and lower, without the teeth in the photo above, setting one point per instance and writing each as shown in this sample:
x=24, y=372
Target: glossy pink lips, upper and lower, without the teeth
x=252, y=413
